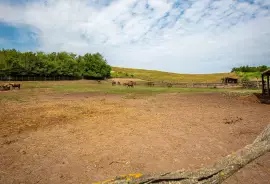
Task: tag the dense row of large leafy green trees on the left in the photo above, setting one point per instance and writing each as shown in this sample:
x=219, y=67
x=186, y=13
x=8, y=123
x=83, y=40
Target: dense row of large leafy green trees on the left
x=16, y=63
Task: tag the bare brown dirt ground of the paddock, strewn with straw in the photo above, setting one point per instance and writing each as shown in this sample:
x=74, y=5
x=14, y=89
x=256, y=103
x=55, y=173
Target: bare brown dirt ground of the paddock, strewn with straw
x=84, y=138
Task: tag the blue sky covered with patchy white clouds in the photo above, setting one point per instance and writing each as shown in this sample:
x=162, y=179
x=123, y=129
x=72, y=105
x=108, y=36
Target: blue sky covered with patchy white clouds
x=183, y=36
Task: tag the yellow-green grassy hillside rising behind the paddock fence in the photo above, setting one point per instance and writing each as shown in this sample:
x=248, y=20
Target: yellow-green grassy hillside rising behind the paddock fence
x=153, y=75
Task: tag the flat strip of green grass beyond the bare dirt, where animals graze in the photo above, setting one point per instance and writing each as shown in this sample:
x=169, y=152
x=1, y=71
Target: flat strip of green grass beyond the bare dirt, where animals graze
x=34, y=89
